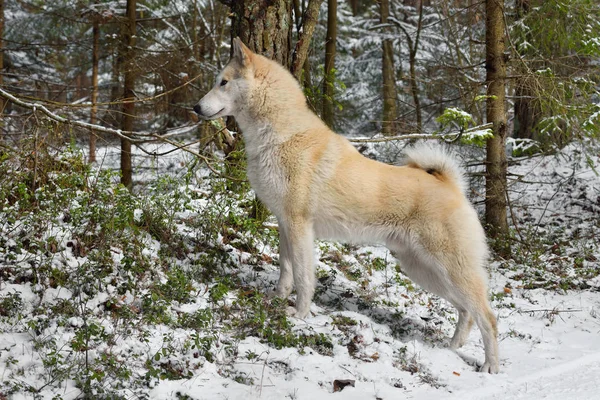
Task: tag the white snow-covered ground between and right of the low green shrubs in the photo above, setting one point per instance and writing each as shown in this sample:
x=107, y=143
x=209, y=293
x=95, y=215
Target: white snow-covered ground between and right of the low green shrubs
x=385, y=334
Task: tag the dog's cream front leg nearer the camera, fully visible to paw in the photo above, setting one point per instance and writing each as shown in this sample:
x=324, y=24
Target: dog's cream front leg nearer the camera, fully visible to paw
x=300, y=238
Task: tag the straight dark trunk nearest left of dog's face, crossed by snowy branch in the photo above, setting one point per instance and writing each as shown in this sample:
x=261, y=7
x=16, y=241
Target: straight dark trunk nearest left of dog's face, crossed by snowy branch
x=128, y=92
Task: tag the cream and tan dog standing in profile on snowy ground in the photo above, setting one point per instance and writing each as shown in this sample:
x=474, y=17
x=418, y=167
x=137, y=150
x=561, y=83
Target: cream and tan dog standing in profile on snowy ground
x=319, y=186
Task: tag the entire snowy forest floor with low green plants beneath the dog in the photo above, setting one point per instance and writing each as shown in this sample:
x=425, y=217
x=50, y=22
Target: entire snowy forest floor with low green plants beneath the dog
x=162, y=295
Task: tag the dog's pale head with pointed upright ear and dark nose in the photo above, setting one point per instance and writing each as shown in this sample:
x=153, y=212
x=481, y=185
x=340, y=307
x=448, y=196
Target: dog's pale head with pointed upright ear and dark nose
x=232, y=86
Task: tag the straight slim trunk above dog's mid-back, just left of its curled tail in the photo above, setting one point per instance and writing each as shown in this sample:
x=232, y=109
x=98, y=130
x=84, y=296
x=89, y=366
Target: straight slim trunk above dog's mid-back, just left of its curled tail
x=389, y=77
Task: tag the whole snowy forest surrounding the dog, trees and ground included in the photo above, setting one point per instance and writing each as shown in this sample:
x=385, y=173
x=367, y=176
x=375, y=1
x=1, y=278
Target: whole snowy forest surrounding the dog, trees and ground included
x=136, y=261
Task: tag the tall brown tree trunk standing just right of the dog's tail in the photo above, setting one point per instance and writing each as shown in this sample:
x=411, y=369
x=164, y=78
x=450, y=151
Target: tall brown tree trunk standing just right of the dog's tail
x=496, y=163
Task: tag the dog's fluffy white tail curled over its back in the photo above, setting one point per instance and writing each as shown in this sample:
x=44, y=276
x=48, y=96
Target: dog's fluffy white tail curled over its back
x=436, y=160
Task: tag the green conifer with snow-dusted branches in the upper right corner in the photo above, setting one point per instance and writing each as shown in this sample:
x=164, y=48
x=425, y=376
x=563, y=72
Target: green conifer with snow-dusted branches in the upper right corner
x=554, y=69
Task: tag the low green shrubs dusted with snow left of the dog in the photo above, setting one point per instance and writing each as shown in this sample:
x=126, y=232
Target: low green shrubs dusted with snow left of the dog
x=91, y=272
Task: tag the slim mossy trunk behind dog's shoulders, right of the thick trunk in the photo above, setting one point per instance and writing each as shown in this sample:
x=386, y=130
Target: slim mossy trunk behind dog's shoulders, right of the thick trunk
x=328, y=79
